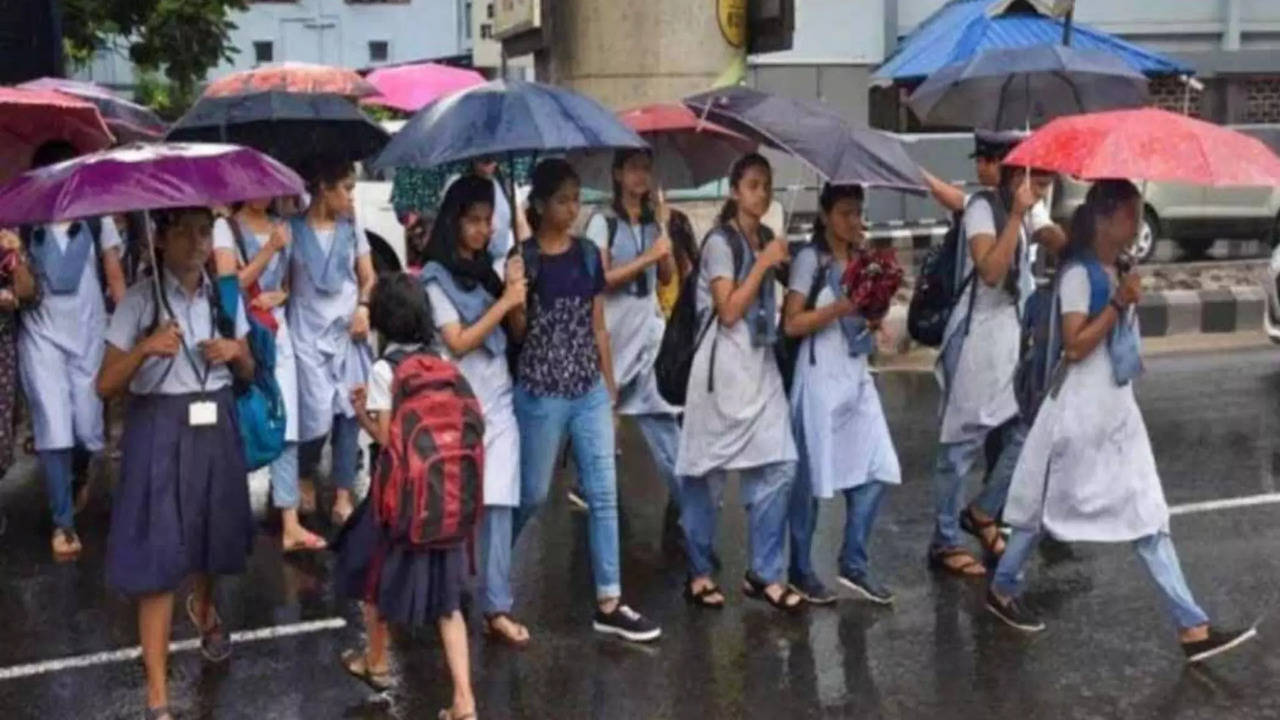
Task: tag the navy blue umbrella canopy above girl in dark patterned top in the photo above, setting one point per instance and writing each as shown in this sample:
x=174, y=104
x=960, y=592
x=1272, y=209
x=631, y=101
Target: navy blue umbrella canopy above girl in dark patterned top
x=506, y=119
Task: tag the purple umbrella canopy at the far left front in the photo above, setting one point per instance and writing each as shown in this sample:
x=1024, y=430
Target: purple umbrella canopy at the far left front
x=144, y=177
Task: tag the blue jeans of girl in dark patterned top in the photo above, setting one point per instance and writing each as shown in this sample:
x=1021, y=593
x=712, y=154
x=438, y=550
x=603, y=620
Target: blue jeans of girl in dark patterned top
x=589, y=422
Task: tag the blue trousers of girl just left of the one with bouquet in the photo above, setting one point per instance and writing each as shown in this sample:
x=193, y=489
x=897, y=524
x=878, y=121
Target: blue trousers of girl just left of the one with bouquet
x=766, y=494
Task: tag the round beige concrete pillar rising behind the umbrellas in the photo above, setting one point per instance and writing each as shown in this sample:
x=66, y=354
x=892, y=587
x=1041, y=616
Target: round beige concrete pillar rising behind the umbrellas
x=628, y=53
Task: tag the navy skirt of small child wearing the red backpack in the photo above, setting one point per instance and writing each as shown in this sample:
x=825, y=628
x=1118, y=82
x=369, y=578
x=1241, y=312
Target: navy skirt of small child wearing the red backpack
x=409, y=586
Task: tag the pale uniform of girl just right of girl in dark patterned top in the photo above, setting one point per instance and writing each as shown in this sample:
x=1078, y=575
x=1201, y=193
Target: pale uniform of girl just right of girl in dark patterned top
x=636, y=327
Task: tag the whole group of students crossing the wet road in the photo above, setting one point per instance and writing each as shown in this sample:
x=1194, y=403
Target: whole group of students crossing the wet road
x=557, y=335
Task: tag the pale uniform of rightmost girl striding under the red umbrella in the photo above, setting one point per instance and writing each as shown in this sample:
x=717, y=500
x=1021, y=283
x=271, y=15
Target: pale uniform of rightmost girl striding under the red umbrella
x=1087, y=472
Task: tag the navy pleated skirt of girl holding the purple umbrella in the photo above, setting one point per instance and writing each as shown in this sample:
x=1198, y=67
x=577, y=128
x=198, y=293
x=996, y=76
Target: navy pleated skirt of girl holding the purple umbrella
x=182, y=502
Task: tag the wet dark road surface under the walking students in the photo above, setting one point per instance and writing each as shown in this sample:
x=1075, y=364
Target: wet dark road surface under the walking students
x=1109, y=651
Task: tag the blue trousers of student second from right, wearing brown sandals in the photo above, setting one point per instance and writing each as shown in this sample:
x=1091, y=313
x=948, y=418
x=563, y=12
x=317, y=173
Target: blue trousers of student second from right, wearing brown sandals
x=953, y=467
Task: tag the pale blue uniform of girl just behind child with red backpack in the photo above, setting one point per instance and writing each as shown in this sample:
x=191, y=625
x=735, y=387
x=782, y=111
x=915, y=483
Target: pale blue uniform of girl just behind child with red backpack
x=323, y=298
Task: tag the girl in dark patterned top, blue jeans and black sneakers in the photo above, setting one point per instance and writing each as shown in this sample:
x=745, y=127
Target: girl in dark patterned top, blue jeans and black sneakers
x=565, y=385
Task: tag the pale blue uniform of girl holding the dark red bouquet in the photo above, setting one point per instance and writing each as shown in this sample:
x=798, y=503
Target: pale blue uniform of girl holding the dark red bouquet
x=840, y=430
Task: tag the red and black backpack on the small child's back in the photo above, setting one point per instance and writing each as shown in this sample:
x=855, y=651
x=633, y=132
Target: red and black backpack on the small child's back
x=428, y=487
